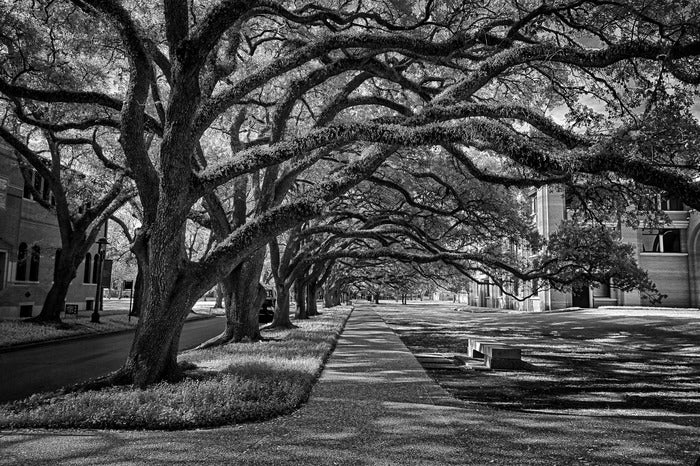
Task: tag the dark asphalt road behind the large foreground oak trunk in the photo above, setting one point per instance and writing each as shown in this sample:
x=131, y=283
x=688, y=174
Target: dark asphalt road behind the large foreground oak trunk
x=49, y=367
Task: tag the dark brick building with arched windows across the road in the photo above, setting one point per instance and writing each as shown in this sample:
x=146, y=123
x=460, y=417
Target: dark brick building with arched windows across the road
x=29, y=242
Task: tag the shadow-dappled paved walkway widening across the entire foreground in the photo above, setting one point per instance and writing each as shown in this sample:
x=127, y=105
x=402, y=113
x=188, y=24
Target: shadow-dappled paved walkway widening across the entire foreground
x=375, y=406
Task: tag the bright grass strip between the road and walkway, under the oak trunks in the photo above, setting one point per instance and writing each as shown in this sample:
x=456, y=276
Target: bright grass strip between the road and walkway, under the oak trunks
x=227, y=385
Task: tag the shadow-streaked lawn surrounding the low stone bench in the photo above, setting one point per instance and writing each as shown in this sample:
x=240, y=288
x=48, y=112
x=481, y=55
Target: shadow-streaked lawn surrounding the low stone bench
x=581, y=362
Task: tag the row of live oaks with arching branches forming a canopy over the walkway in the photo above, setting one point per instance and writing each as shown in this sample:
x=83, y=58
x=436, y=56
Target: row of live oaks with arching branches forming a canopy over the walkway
x=339, y=133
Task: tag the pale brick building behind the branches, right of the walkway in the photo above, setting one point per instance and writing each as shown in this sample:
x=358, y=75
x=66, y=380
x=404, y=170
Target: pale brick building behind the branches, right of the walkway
x=670, y=254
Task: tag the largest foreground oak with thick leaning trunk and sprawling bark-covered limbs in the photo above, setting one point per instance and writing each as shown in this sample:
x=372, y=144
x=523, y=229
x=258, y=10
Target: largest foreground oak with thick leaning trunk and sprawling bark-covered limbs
x=460, y=78
